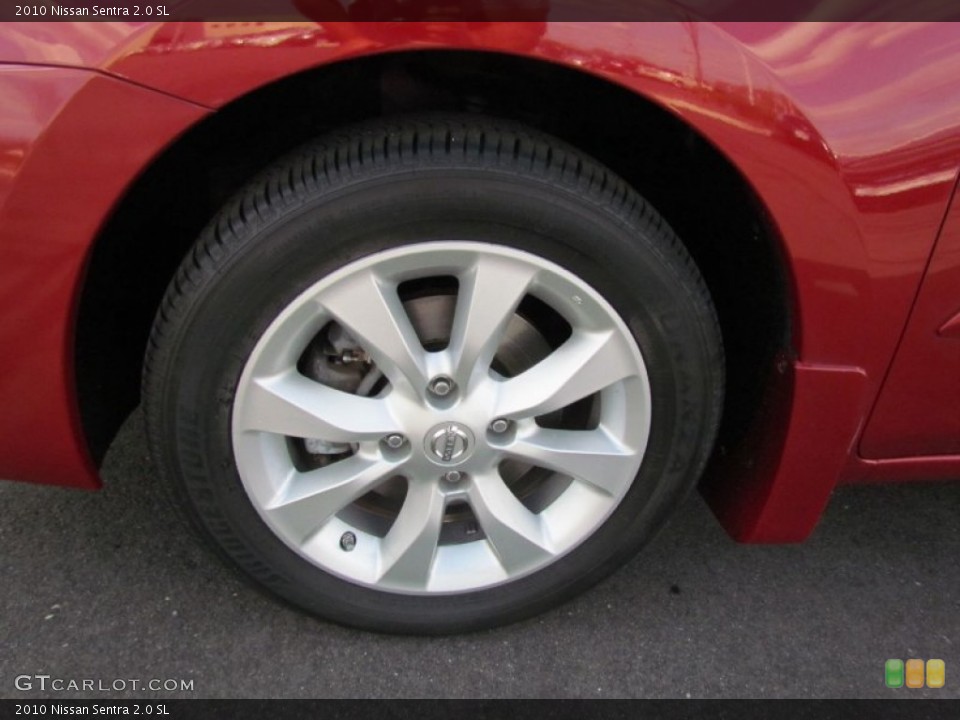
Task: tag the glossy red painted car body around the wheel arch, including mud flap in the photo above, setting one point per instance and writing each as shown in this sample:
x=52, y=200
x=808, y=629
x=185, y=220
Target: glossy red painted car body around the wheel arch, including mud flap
x=848, y=134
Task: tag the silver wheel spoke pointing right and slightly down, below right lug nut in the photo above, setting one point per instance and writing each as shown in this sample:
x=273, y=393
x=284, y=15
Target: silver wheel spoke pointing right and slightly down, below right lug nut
x=593, y=456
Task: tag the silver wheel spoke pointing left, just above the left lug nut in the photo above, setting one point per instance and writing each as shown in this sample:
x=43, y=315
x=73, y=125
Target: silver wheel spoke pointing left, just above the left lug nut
x=291, y=404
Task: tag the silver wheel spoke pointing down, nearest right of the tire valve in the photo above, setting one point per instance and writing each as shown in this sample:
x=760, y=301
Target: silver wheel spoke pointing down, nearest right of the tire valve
x=408, y=550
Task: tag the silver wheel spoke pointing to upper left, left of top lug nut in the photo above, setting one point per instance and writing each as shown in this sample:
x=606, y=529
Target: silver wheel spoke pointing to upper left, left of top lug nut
x=372, y=313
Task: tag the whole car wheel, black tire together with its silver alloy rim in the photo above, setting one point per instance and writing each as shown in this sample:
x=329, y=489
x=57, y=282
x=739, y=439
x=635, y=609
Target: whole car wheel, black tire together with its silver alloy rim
x=433, y=375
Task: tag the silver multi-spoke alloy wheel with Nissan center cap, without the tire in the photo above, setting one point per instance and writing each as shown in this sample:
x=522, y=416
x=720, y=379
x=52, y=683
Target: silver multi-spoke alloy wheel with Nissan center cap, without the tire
x=441, y=417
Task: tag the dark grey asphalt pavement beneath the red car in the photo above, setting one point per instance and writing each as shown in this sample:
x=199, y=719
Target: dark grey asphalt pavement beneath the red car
x=108, y=586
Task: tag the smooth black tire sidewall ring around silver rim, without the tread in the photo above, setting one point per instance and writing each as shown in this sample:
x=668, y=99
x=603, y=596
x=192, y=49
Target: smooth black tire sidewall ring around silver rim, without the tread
x=321, y=230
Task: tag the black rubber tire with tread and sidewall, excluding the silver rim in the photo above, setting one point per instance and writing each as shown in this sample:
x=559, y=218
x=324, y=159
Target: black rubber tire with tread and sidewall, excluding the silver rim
x=379, y=185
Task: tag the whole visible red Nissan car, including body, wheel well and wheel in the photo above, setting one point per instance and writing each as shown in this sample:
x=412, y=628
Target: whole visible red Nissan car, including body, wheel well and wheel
x=434, y=324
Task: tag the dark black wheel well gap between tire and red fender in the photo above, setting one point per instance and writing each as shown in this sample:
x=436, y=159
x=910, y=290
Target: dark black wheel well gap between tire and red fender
x=690, y=183
